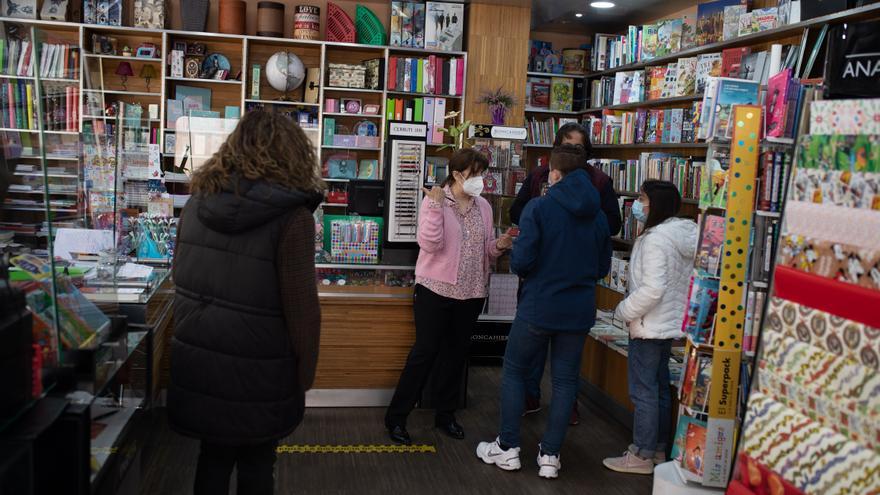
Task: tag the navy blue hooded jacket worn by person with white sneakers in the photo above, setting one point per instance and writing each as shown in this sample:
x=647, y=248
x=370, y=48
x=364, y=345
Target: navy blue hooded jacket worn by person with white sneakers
x=563, y=248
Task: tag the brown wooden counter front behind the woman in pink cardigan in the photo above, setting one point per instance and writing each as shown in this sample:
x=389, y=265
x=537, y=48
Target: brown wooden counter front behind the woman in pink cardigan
x=364, y=341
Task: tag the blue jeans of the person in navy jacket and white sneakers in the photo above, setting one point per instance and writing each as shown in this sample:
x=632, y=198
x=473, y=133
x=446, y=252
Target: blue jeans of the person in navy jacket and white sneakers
x=523, y=345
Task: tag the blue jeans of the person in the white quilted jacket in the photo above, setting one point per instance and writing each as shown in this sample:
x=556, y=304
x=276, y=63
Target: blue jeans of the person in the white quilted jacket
x=648, y=367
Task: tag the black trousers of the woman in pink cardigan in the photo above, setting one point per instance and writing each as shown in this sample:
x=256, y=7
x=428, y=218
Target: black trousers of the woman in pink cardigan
x=444, y=328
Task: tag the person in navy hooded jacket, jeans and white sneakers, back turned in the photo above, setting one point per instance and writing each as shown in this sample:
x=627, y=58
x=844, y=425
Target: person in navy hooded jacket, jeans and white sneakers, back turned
x=563, y=248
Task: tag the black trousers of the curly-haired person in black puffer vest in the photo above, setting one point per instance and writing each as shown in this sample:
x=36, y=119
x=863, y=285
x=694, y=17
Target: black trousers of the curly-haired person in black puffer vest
x=255, y=463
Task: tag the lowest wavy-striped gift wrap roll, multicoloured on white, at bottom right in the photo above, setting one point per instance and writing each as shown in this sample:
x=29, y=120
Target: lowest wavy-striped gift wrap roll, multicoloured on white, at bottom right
x=815, y=459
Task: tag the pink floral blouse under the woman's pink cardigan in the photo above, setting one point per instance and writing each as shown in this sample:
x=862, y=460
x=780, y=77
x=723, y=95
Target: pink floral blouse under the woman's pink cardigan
x=471, y=281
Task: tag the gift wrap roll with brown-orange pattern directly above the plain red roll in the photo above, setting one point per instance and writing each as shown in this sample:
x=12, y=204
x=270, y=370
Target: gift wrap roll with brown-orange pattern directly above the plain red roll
x=834, y=260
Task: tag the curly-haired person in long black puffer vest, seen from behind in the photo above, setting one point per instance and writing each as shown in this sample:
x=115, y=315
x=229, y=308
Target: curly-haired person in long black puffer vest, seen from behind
x=246, y=313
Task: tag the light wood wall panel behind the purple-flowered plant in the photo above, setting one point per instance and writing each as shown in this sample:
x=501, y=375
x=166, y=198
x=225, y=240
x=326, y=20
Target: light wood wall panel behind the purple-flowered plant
x=498, y=42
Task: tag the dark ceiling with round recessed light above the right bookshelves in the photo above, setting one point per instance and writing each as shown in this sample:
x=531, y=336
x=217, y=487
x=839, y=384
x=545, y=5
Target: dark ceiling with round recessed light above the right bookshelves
x=559, y=15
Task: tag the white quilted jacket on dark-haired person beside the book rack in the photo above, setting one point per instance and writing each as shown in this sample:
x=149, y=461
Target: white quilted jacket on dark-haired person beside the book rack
x=659, y=273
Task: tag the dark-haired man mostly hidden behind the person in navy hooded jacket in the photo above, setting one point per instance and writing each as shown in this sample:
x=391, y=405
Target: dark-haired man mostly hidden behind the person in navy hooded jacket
x=533, y=187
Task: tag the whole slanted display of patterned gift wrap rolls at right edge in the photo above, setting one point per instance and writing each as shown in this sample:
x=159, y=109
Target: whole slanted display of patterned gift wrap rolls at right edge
x=819, y=431
